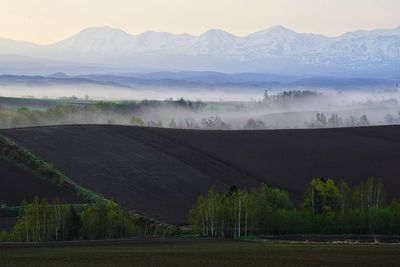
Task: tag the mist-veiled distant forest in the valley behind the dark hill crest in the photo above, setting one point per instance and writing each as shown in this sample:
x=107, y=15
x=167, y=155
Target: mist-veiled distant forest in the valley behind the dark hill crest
x=75, y=111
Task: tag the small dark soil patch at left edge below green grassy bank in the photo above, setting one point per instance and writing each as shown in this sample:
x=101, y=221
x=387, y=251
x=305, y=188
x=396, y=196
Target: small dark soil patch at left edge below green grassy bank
x=17, y=185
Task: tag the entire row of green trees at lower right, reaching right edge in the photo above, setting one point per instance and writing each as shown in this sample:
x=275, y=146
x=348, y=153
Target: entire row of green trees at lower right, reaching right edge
x=328, y=208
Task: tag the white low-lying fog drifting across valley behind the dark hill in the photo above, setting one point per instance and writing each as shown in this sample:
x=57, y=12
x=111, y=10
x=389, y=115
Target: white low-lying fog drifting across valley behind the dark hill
x=223, y=109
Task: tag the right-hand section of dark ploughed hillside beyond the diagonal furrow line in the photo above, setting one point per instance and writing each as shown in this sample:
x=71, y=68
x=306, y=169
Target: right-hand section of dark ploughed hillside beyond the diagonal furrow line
x=290, y=158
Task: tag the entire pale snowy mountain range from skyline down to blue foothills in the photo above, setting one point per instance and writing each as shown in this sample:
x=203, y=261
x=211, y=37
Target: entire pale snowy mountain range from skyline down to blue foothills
x=275, y=50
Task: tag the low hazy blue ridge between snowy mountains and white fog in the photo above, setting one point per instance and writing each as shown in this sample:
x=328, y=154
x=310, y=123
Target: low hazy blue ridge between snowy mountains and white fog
x=202, y=80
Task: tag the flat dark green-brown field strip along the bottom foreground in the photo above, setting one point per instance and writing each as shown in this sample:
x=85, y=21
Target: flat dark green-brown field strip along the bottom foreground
x=200, y=253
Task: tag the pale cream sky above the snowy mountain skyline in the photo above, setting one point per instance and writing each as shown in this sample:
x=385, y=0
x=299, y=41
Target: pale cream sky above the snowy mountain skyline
x=47, y=21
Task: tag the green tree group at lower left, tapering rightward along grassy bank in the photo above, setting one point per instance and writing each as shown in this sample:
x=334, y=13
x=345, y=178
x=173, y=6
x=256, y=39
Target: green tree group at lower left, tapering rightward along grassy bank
x=40, y=221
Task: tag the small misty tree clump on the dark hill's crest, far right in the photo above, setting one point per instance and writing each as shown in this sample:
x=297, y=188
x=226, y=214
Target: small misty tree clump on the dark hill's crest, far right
x=334, y=121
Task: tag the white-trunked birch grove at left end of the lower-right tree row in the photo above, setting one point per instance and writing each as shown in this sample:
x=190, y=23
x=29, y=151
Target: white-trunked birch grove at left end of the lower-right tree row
x=240, y=212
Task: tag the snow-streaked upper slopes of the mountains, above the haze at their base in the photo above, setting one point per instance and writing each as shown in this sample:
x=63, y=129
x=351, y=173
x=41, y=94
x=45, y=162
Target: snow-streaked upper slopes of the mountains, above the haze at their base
x=263, y=50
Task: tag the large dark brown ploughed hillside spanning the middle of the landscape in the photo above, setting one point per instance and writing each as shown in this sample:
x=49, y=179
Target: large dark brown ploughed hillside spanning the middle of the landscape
x=161, y=172
